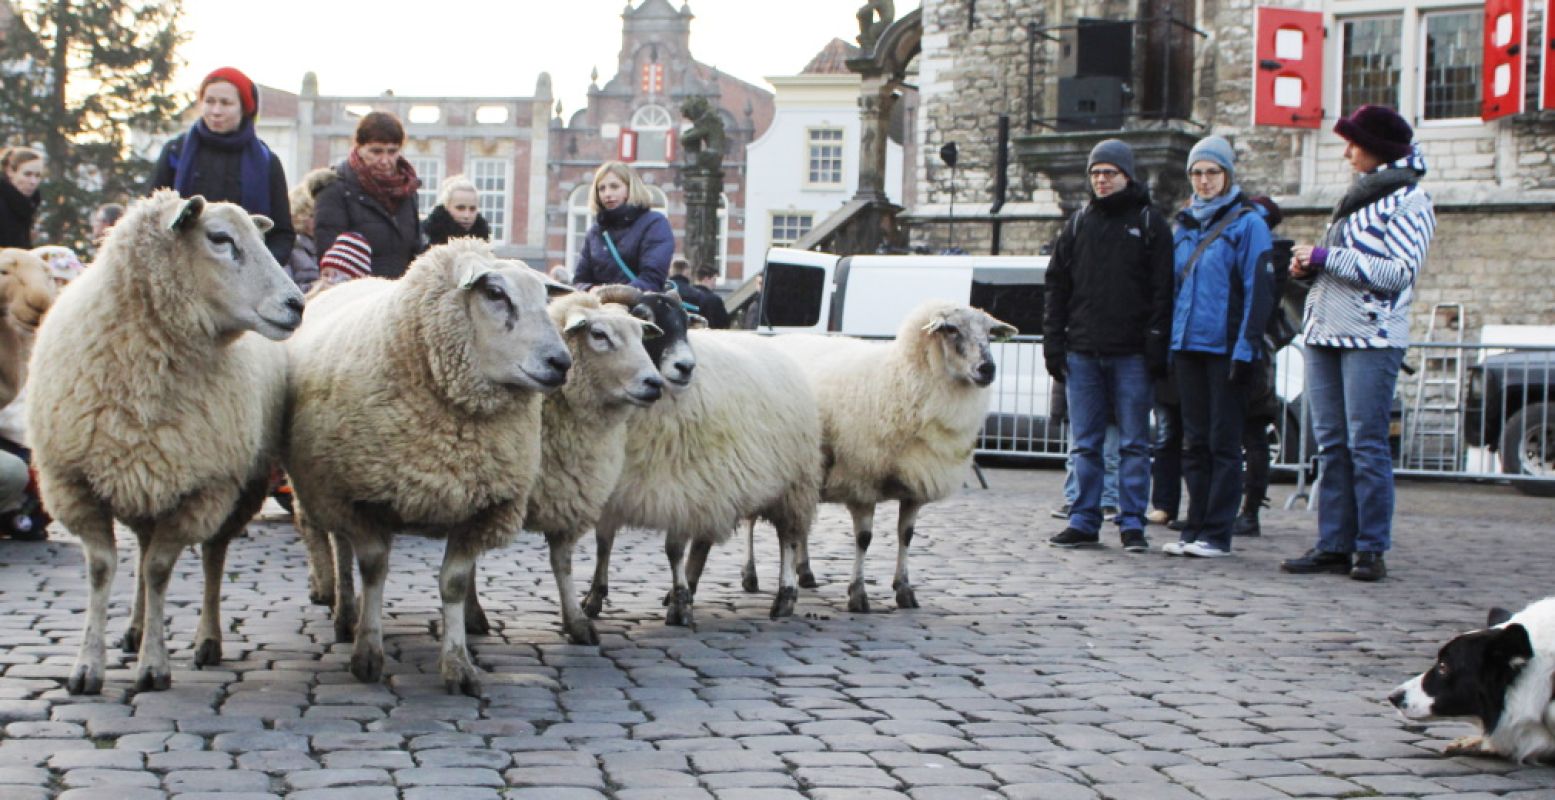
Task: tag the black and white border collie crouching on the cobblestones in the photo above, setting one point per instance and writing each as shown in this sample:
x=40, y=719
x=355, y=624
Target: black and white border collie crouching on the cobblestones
x=1500, y=678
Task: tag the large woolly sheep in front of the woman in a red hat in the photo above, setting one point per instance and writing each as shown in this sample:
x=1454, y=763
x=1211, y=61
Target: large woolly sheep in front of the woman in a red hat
x=153, y=404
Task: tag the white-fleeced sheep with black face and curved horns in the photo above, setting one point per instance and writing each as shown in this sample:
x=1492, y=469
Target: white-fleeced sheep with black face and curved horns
x=741, y=440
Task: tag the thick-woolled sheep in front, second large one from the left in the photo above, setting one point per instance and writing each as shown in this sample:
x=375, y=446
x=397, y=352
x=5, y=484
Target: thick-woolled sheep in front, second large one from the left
x=416, y=407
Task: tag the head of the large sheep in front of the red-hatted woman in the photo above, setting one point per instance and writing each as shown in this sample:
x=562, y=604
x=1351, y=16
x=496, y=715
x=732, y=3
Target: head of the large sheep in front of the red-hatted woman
x=228, y=265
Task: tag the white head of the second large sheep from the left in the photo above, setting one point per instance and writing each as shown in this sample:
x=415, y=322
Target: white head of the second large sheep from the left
x=514, y=342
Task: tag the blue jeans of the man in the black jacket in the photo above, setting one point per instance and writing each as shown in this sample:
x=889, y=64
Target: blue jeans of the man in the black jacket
x=1106, y=388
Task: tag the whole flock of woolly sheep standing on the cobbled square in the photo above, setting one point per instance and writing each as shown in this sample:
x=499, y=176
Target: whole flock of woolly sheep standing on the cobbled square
x=467, y=402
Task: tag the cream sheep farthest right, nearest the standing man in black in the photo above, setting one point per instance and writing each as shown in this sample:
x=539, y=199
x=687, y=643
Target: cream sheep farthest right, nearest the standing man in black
x=900, y=423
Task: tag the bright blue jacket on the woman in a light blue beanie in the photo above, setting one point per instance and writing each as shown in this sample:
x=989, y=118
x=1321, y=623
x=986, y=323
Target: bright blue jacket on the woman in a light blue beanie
x=1223, y=304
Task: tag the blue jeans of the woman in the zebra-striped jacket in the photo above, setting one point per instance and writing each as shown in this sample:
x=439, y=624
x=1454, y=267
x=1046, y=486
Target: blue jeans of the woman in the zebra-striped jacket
x=1352, y=395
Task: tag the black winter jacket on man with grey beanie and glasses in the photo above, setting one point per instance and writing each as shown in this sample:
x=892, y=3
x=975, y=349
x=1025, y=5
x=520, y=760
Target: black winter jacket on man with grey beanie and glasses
x=1109, y=287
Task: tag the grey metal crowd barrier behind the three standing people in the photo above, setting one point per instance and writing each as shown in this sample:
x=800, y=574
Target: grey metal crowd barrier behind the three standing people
x=1461, y=412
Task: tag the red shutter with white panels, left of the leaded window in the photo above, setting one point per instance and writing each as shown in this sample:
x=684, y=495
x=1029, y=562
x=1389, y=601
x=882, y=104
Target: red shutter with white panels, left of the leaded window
x=1288, y=68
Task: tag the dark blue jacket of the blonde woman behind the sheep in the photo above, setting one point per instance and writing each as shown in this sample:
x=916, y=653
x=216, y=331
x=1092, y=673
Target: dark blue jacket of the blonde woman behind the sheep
x=645, y=240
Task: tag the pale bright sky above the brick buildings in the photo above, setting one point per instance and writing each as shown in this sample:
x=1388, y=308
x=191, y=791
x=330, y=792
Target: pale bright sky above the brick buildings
x=489, y=47
